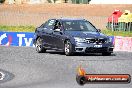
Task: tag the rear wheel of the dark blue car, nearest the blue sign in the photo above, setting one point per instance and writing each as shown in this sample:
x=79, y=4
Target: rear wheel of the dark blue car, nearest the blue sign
x=39, y=46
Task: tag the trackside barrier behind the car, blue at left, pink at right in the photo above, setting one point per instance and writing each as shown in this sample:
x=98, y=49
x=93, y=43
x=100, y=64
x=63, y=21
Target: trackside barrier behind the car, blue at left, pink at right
x=26, y=39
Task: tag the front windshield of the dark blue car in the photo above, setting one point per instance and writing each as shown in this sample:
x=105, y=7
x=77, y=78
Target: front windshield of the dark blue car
x=78, y=25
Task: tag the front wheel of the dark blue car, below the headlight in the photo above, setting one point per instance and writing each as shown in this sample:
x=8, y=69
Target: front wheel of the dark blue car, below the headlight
x=68, y=48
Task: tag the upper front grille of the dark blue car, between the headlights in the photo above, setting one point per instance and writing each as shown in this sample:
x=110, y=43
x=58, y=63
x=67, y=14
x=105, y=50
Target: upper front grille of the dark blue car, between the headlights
x=96, y=40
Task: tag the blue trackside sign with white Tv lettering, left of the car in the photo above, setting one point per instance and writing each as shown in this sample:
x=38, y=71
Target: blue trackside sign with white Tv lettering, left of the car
x=16, y=38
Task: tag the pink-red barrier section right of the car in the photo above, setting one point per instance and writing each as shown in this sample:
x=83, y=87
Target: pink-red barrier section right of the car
x=123, y=44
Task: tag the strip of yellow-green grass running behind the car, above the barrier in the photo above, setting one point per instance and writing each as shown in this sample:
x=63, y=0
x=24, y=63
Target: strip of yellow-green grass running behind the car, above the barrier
x=32, y=29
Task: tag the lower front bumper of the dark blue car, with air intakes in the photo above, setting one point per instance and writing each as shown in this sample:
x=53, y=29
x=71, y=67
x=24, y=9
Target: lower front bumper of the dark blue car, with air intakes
x=89, y=48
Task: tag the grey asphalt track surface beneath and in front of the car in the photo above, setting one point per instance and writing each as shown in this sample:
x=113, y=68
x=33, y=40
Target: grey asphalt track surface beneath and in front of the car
x=24, y=68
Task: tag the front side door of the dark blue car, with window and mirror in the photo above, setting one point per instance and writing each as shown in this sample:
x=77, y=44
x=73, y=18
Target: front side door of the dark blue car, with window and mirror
x=58, y=36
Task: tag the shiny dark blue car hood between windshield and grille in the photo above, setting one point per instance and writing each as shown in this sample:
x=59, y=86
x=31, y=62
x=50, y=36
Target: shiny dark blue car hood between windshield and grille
x=85, y=34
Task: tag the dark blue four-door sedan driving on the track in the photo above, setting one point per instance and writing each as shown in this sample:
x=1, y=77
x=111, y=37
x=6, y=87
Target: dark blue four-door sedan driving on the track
x=71, y=35
